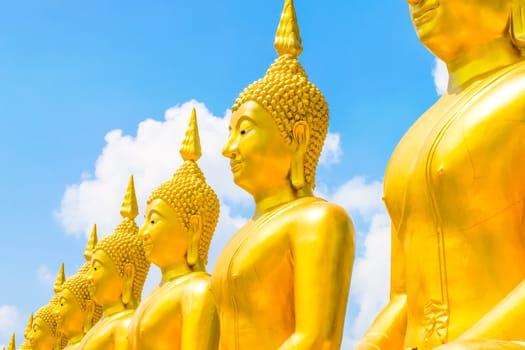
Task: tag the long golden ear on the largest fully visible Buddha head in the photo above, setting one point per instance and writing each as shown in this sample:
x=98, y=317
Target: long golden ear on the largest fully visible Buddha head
x=301, y=138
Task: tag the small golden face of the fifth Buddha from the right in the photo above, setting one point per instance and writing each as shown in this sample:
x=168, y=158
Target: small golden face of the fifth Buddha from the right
x=69, y=314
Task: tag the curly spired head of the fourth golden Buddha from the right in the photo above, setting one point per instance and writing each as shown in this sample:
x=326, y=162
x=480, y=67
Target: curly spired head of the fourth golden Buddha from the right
x=118, y=266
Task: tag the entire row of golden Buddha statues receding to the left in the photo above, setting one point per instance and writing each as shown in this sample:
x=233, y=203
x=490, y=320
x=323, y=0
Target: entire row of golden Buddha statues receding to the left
x=454, y=189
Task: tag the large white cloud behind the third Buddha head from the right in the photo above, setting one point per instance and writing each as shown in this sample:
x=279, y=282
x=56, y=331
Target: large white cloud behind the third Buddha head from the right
x=152, y=156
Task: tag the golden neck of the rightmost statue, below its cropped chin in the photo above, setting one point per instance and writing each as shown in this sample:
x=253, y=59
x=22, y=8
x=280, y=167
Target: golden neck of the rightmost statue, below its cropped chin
x=480, y=60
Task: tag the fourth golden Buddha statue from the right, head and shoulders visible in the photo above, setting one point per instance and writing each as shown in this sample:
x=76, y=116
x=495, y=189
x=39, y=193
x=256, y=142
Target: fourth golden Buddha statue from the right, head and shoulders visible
x=116, y=277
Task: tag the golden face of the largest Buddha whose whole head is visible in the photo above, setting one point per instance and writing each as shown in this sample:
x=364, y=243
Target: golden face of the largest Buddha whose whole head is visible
x=260, y=159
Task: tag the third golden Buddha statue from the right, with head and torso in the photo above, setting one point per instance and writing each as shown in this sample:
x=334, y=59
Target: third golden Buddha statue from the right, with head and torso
x=180, y=220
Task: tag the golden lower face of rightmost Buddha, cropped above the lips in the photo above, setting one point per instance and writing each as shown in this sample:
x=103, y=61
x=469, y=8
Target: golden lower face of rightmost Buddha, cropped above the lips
x=448, y=27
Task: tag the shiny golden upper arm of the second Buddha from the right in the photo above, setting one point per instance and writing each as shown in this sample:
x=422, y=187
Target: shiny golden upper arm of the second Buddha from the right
x=323, y=252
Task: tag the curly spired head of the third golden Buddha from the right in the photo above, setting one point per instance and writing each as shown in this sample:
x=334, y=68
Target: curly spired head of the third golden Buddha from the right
x=182, y=212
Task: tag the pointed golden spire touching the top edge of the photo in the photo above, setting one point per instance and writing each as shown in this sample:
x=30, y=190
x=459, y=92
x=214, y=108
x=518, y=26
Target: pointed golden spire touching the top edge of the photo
x=287, y=37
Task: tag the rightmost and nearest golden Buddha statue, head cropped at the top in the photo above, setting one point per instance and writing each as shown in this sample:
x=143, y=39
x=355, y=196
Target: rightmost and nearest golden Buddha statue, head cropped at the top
x=455, y=192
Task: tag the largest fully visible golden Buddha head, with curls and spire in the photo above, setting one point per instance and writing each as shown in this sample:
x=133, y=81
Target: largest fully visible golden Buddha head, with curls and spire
x=298, y=113
